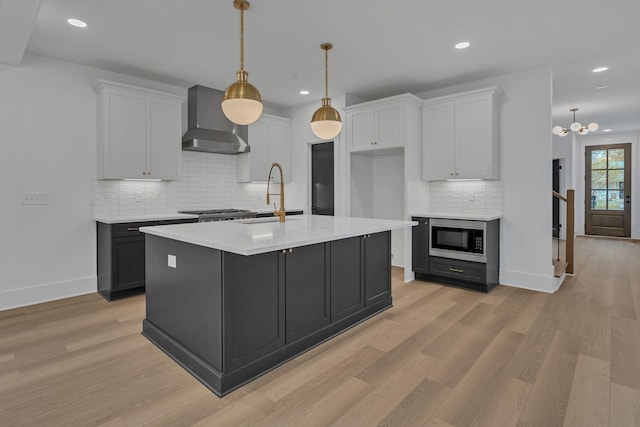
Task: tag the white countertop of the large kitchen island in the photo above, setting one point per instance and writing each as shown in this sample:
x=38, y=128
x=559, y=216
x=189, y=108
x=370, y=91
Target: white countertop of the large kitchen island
x=259, y=237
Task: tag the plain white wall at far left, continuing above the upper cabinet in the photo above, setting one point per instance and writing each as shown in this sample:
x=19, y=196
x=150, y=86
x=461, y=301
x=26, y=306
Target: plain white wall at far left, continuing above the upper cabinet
x=48, y=134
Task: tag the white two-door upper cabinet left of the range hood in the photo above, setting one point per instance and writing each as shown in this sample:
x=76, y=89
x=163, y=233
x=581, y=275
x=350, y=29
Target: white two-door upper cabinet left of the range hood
x=139, y=133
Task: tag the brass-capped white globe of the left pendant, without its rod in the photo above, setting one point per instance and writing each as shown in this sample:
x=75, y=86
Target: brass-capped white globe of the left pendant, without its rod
x=242, y=103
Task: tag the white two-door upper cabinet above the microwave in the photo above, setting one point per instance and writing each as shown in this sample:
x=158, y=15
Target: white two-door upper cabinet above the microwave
x=460, y=136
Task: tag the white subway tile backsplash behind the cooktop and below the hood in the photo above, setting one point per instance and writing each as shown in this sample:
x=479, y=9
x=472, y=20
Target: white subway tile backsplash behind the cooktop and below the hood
x=208, y=181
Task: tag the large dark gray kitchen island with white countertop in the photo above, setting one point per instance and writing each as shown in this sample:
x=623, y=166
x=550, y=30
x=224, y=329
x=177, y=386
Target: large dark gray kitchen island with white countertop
x=231, y=300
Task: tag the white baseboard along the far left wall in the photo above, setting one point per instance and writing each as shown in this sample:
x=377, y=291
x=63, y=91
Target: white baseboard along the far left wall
x=15, y=298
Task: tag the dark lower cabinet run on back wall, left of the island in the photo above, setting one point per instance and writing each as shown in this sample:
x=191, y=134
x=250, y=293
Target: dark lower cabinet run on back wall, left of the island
x=121, y=253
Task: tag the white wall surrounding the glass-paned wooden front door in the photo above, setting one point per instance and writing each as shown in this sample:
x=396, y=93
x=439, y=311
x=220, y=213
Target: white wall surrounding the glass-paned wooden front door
x=580, y=163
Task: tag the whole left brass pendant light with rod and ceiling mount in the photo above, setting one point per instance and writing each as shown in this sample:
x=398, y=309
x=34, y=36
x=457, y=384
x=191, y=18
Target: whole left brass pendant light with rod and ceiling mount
x=242, y=103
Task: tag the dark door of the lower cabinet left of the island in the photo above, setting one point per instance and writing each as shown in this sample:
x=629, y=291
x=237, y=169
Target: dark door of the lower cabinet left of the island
x=128, y=263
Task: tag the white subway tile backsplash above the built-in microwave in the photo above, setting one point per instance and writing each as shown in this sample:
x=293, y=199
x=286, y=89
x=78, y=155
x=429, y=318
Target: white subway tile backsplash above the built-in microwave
x=466, y=197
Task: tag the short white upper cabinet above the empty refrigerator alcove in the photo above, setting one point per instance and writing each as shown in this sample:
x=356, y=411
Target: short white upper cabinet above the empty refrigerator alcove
x=378, y=124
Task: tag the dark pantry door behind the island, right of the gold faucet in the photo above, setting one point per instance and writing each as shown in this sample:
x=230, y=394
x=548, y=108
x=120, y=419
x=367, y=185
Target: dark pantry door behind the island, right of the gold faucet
x=322, y=179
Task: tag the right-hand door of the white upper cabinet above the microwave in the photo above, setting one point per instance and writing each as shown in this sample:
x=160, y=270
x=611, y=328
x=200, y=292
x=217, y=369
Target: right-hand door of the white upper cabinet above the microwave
x=473, y=138
